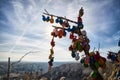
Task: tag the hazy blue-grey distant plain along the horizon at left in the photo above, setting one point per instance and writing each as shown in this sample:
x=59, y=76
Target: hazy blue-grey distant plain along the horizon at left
x=28, y=67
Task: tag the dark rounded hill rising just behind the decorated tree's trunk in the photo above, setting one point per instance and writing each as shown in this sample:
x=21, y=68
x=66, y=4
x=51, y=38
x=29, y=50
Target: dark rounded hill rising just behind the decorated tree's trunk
x=72, y=71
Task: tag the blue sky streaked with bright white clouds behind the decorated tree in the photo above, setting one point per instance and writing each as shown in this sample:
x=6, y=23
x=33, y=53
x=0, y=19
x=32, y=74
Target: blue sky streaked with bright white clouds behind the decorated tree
x=22, y=29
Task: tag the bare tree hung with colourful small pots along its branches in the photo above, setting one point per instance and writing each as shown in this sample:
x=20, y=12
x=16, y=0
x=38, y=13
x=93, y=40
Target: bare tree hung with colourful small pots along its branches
x=79, y=40
